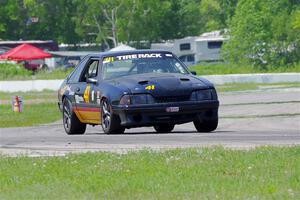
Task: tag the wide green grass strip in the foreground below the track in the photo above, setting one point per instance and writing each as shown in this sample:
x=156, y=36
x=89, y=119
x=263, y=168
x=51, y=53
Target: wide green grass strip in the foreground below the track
x=204, y=173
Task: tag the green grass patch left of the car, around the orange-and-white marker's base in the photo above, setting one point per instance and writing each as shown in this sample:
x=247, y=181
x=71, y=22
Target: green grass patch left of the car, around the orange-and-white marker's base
x=33, y=114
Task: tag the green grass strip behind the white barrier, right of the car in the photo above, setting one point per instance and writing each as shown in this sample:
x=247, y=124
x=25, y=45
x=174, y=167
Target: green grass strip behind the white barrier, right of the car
x=223, y=68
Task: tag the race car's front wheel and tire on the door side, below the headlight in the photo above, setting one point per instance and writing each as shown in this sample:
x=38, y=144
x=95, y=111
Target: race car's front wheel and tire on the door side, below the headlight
x=111, y=123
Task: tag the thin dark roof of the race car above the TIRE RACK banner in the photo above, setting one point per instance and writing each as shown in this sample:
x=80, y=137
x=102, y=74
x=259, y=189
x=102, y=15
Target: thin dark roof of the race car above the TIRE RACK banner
x=117, y=53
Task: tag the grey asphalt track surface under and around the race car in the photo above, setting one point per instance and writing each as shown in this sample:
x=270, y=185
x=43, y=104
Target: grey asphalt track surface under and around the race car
x=247, y=119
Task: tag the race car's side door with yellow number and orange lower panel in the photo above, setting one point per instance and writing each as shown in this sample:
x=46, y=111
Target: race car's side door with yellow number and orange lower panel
x=86, y=93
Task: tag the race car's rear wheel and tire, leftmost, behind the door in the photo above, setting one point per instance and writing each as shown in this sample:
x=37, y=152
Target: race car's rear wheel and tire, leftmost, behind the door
x=72, y=125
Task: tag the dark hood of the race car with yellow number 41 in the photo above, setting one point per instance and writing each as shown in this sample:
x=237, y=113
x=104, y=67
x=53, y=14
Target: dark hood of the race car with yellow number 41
x=161, y=84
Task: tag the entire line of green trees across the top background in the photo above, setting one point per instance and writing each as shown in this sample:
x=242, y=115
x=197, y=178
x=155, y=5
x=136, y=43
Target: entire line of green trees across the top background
x=261, y=32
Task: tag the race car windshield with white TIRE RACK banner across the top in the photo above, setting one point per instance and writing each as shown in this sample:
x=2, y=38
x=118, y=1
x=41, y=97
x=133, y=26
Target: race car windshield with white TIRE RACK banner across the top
x=141, y=63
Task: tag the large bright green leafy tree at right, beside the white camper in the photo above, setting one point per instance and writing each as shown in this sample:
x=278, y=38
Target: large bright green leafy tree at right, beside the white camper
x=261, y=33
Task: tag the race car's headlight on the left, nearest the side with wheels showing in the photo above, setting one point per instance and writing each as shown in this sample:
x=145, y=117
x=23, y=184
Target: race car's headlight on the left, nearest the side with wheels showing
x=136, y=99
